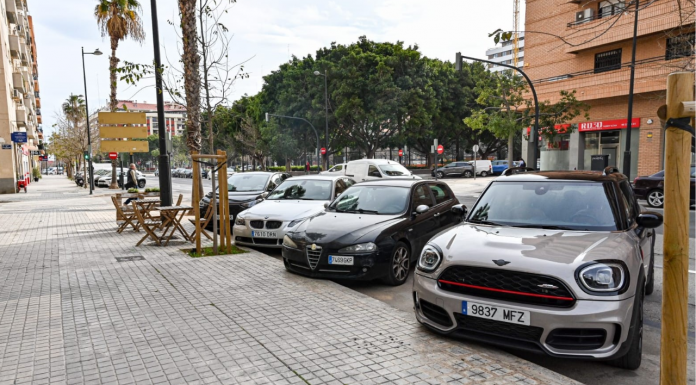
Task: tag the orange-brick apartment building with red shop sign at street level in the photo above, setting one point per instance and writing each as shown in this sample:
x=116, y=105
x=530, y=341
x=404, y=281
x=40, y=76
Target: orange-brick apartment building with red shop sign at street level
x=586, y=46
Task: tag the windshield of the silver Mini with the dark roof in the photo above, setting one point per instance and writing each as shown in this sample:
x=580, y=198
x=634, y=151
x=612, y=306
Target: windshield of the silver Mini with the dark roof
x=564, y=205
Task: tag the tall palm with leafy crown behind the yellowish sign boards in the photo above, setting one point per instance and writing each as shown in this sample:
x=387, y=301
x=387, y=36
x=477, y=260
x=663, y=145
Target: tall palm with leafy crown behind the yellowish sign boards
x=118, y=19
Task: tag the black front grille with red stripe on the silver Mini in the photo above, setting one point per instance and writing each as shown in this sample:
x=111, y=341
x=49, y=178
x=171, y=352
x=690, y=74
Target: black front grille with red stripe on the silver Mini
x=506, y=285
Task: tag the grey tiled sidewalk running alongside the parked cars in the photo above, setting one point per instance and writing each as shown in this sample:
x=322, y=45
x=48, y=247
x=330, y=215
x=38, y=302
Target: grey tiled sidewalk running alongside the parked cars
x=71, y=313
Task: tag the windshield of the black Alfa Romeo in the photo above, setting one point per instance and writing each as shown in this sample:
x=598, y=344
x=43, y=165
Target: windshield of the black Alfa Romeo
x=385, y=200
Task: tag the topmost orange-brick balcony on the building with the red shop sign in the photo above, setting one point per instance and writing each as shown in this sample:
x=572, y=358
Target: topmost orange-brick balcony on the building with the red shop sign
x=588, y=33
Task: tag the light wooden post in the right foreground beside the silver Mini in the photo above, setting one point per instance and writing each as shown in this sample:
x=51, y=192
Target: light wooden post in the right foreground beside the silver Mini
x=675, y=296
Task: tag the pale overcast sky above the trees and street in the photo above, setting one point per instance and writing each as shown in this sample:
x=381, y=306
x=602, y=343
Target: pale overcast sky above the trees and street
x=267, y=31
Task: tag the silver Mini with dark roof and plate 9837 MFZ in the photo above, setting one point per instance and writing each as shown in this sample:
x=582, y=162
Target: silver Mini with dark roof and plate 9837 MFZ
x=556, y=262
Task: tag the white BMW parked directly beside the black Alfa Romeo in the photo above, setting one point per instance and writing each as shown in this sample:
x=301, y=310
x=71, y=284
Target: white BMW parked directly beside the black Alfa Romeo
x=293, y=201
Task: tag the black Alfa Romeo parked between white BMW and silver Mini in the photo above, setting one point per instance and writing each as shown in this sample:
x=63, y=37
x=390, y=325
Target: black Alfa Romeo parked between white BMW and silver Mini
x=372, y=230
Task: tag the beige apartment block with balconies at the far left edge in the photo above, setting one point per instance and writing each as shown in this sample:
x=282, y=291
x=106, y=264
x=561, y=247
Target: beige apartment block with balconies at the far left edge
x=20, y=134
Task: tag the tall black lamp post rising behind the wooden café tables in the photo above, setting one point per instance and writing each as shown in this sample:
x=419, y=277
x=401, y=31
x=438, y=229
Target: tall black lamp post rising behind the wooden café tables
x=165, y=177
